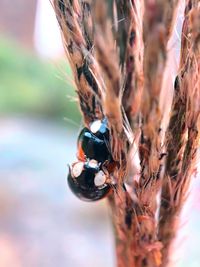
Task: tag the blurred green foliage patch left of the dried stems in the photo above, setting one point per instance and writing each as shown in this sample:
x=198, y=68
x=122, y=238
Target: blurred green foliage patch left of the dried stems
x=31, y=86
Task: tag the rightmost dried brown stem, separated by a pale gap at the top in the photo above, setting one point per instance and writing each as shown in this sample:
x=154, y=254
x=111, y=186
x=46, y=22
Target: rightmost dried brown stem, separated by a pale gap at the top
x=182, y=133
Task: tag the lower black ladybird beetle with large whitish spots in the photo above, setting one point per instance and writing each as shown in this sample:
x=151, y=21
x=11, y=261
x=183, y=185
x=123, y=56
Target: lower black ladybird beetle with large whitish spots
x=88, y=181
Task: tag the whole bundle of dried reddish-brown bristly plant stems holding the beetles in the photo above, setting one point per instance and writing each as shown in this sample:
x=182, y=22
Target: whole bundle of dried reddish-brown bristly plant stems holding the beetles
x=118, y=51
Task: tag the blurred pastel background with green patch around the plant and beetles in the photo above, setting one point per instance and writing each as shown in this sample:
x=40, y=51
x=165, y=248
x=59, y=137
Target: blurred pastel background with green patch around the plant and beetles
x=41, y=222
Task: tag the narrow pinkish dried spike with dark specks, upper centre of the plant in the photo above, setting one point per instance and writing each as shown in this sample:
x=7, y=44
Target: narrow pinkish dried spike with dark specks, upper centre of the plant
x=134, y=65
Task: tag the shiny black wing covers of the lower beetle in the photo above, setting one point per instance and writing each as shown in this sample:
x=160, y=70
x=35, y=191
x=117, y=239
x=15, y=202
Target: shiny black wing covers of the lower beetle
x=84, y=186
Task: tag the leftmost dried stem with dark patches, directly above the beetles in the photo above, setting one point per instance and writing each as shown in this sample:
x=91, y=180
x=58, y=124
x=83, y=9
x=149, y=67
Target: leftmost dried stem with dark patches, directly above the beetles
x=78, y=46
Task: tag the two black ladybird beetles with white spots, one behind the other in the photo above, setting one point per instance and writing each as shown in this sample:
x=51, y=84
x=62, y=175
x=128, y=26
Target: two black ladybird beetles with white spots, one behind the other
x=89, y=177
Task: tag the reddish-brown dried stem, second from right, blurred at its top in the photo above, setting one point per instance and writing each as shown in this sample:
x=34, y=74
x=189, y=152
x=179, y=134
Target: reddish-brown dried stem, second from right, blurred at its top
x=156, y=35
